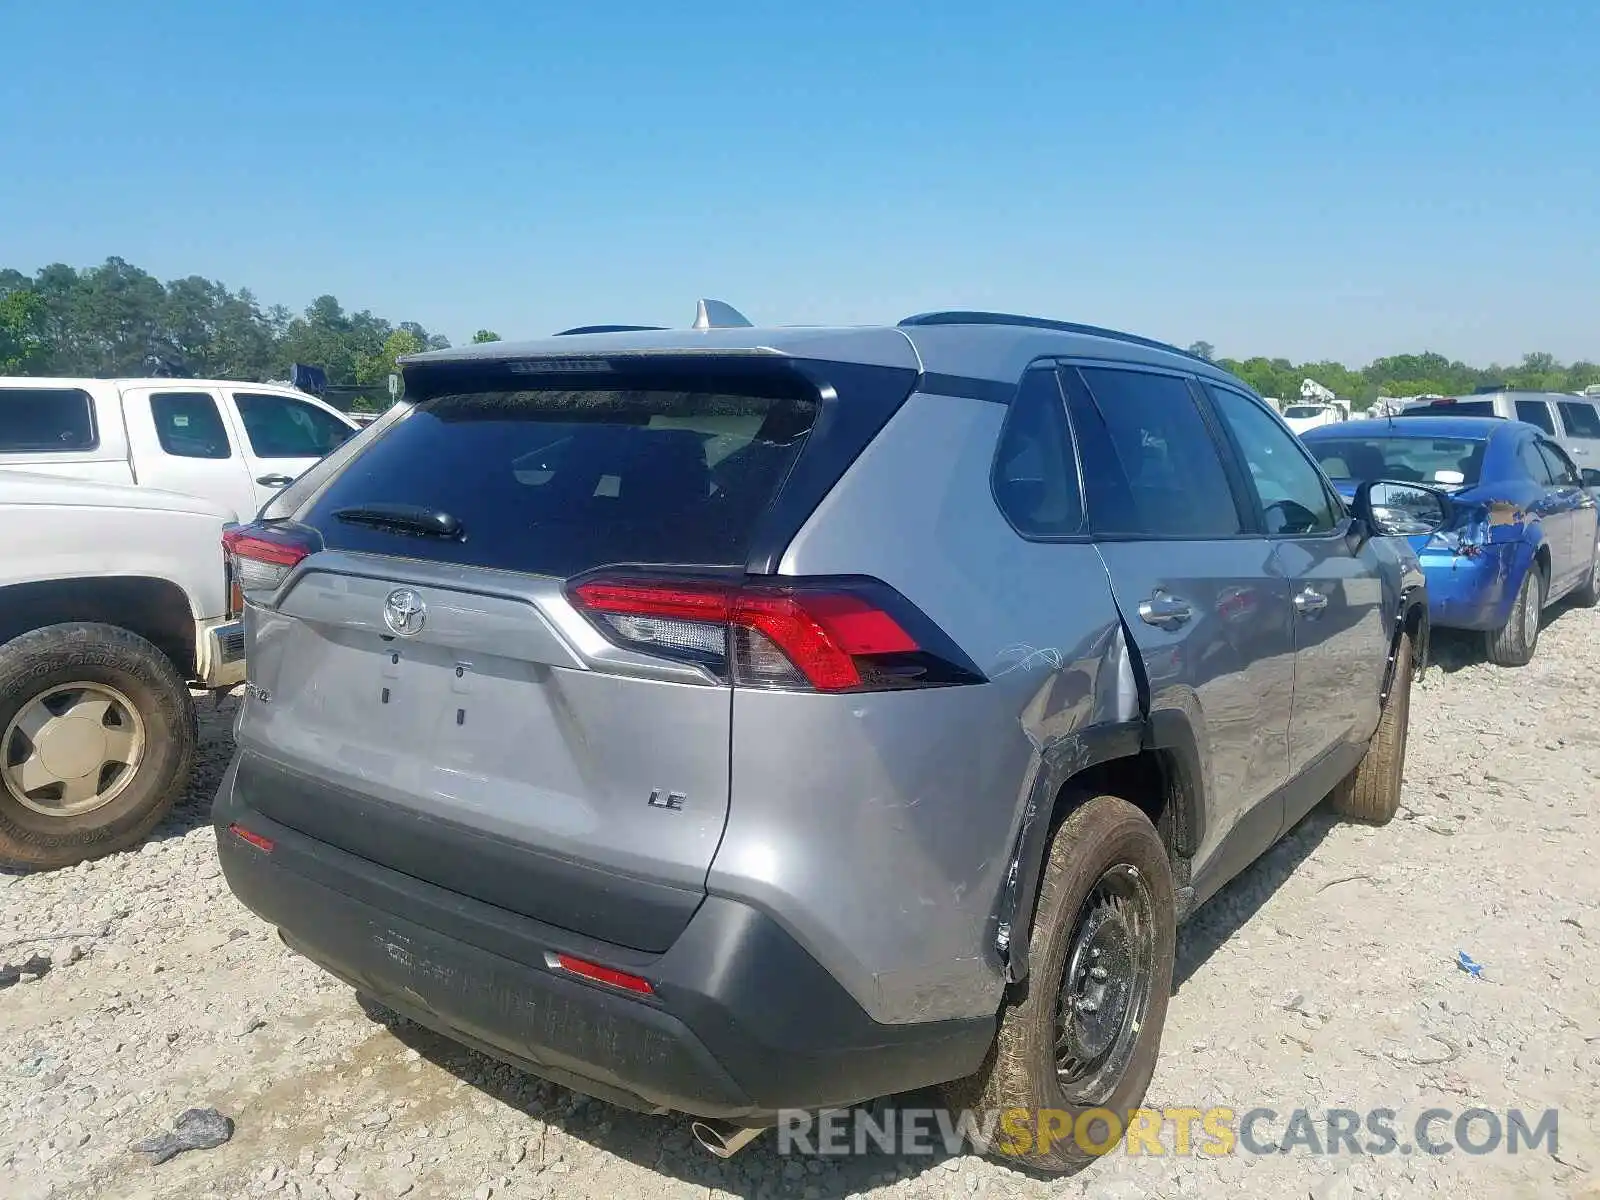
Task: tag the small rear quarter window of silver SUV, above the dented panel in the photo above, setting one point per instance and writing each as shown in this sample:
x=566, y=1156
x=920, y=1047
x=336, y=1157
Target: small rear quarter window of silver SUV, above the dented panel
x=1036, y=474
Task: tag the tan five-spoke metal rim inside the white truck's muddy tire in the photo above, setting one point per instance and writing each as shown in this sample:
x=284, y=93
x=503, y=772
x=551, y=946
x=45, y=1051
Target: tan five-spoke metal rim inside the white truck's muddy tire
x=73, y=750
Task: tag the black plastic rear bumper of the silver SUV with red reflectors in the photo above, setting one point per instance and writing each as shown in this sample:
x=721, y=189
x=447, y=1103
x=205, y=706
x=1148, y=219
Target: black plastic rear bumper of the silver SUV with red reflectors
x=742, y=1025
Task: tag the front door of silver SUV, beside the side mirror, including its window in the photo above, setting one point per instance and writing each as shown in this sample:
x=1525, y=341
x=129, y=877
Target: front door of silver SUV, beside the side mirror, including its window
x=1342, y=636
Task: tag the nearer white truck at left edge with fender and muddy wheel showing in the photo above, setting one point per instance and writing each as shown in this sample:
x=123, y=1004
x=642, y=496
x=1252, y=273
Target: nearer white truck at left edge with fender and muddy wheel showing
x=113, y=601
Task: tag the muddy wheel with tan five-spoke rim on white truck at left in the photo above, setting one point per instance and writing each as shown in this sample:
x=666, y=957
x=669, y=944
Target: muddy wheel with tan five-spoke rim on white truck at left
x=97, y=740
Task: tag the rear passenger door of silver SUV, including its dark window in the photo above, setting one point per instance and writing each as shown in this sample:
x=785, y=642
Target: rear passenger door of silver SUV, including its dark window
x=1198, y=593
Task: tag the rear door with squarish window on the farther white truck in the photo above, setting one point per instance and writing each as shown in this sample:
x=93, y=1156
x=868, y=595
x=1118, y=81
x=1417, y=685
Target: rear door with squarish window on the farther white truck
x=182, y=442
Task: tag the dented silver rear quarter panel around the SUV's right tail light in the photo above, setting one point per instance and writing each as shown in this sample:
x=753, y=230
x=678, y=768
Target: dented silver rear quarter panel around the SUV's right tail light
x=879, y=828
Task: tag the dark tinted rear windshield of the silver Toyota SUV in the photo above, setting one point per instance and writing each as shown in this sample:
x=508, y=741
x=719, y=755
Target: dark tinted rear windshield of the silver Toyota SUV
x=564, y=481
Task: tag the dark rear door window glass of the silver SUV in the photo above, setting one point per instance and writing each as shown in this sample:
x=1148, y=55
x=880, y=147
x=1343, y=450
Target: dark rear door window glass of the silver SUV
x=1151, y=466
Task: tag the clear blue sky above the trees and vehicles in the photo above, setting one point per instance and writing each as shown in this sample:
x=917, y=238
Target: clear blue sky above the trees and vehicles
x=1340, y=180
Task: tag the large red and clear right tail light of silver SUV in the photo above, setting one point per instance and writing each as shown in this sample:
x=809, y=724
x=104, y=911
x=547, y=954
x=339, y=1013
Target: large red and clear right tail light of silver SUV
x=804, y=634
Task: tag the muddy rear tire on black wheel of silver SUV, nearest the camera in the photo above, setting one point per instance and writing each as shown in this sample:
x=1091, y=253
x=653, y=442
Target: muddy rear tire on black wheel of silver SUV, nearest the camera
x=1105, y=839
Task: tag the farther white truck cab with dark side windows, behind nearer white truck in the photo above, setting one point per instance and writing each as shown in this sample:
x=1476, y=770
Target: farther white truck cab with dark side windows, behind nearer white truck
x=231, y=444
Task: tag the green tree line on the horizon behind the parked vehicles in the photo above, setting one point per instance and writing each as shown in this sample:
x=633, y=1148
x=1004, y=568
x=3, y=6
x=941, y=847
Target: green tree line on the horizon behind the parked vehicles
x=121, y=321
